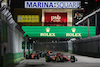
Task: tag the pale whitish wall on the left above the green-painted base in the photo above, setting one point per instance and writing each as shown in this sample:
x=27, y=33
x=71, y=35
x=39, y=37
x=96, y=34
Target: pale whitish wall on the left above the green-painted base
x=15, y=39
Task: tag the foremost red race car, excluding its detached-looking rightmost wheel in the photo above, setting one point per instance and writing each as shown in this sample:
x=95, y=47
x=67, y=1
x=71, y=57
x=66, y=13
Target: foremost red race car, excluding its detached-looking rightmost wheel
x=56, y=57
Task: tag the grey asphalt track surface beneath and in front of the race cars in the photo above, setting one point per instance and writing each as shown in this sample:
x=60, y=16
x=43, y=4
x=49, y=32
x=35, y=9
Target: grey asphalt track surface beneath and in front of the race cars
x=82, y=61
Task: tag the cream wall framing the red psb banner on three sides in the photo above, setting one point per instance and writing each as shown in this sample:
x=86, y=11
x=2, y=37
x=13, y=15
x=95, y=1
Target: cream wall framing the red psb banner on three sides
x=68, y=11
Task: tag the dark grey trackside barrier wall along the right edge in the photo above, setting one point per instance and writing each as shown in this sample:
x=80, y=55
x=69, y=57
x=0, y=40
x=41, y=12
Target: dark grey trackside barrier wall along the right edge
x=87, y=46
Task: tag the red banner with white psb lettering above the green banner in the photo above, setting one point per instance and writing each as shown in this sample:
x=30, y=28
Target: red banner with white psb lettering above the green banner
x=55, y=19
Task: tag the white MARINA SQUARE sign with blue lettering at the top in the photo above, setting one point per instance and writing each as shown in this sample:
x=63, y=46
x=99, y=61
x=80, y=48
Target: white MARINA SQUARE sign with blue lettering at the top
x=52, y=4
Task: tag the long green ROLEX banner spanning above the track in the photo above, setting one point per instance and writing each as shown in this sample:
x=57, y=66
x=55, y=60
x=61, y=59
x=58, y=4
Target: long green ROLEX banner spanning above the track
x=58, y=31
